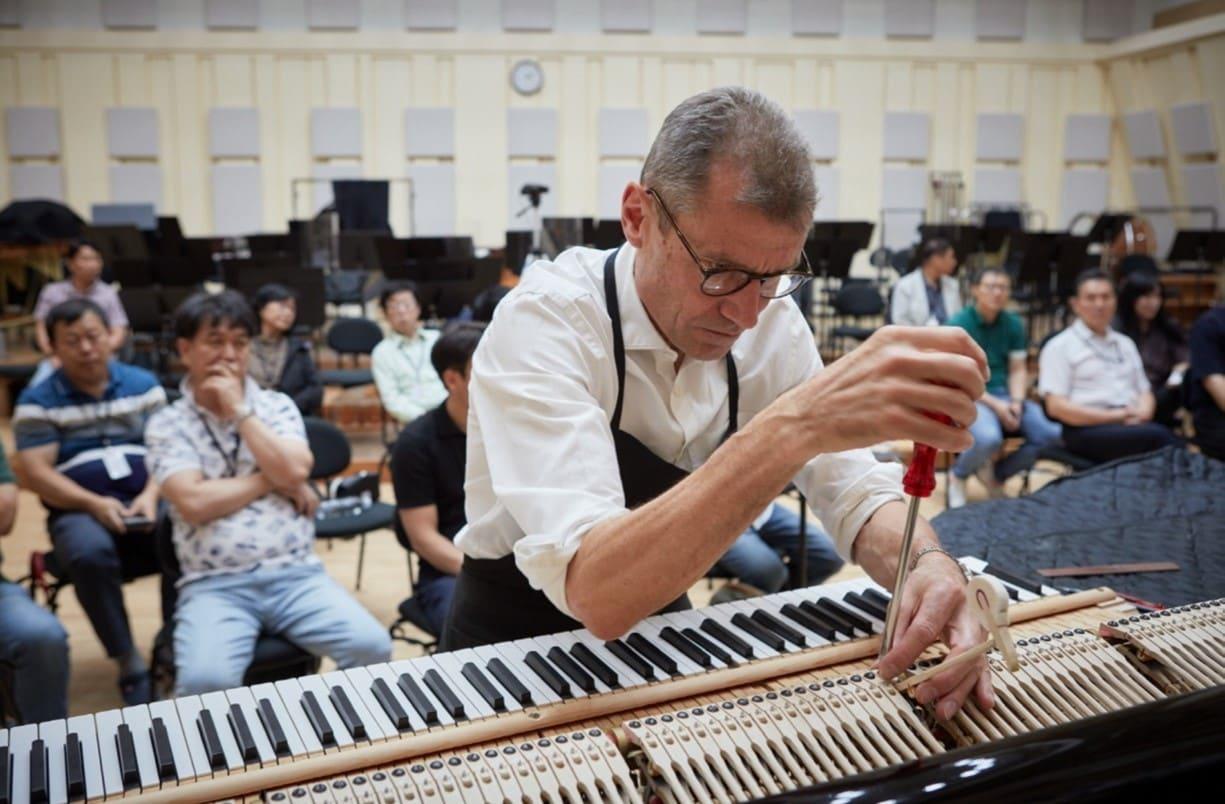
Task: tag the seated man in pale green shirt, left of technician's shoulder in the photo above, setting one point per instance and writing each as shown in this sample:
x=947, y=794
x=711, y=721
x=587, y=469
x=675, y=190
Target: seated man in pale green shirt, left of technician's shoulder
x=401, y=363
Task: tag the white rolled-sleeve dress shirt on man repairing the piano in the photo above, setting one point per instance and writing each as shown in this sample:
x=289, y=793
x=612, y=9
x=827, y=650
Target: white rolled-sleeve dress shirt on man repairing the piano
x=542, y=465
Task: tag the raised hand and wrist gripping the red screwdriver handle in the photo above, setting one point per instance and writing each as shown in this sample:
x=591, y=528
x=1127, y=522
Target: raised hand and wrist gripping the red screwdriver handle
x=883, y=390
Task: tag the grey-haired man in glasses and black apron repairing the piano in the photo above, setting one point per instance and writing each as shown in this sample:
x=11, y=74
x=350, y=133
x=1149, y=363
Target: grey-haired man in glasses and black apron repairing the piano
x=633, y=411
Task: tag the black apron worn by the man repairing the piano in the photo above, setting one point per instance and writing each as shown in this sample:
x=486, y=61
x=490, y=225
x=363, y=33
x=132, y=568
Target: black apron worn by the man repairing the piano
x=493, y=601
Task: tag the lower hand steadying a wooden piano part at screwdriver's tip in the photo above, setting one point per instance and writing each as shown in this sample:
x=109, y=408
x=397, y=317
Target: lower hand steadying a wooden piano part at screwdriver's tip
x=934, y=607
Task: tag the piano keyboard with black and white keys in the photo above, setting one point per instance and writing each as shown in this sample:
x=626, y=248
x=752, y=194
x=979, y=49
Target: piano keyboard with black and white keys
x=168, y=746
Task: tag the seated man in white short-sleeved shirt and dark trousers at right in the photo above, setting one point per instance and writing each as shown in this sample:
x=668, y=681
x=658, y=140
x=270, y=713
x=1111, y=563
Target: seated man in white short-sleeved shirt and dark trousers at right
x=1093, y=382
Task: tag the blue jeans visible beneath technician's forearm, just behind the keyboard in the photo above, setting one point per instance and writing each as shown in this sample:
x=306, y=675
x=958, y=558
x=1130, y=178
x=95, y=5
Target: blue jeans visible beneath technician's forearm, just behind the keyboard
x=755, y=558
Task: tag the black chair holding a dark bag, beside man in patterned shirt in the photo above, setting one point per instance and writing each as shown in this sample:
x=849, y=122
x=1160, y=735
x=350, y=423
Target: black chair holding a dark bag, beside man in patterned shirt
x=337, y=518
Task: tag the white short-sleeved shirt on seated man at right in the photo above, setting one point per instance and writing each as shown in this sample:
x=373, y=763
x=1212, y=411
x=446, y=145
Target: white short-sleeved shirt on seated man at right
x=1090, y=370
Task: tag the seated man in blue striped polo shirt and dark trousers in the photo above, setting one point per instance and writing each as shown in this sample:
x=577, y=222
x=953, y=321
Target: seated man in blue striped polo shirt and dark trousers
x=80, y=438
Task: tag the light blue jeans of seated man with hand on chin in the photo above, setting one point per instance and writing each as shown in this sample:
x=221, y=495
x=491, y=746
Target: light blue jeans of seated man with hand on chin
x=220, y=618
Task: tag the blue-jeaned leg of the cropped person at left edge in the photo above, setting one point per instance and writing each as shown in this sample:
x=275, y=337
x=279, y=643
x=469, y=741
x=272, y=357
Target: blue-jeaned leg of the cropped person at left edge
x=36, y=648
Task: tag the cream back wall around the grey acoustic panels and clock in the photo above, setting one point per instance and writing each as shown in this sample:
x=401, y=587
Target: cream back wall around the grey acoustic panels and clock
x=285, y=75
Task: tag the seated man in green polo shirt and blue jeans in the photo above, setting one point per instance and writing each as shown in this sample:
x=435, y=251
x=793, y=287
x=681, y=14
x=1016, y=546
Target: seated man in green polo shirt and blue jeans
x=1004, y=409
